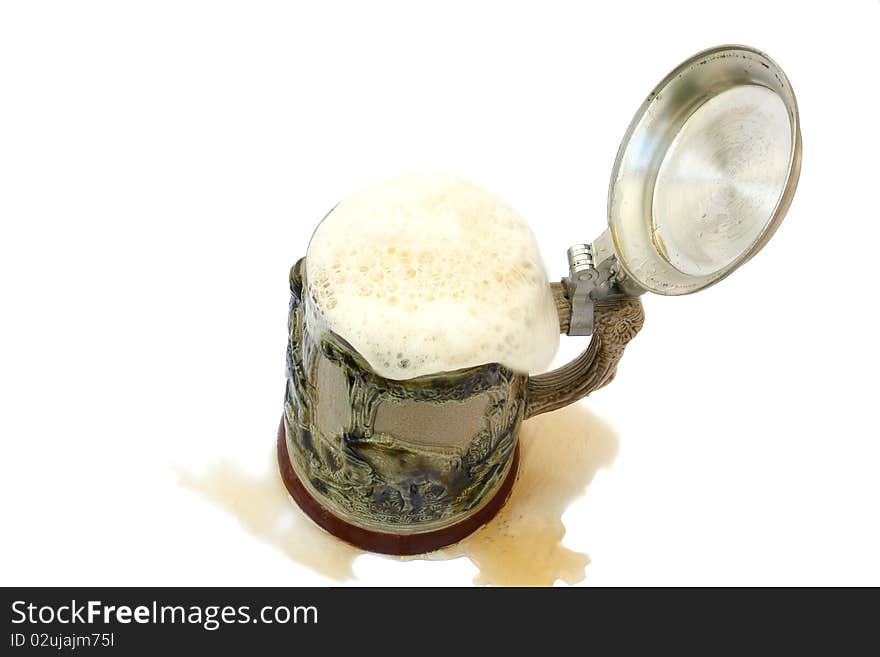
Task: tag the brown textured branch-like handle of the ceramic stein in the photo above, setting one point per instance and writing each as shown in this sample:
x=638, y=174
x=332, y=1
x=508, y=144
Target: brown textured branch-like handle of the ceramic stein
x=615, y=323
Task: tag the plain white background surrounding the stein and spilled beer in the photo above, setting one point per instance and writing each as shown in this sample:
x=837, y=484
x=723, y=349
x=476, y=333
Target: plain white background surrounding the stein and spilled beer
x=162, y=164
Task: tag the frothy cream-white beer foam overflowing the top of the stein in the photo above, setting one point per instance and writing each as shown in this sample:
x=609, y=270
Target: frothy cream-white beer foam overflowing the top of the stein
x=429, y=273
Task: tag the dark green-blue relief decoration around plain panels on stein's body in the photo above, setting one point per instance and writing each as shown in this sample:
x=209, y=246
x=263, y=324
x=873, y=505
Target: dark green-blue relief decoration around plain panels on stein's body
x=383, y=481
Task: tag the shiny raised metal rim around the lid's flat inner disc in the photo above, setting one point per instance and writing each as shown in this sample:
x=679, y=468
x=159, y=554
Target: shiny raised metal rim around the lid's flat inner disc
x=666, y=109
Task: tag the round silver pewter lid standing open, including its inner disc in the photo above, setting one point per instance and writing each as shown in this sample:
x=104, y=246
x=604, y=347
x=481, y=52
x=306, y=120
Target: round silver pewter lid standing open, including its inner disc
x=705, y=172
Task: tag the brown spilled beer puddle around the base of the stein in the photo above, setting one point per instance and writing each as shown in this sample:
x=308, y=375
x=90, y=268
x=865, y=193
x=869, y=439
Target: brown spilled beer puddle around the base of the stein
x=521, y=546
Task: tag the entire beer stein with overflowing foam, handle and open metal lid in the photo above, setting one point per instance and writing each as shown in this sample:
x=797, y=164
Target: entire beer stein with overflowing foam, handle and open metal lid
x=422, y=320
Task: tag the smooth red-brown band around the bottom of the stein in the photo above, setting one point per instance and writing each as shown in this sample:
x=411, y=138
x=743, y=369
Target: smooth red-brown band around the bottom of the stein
x=397, y=544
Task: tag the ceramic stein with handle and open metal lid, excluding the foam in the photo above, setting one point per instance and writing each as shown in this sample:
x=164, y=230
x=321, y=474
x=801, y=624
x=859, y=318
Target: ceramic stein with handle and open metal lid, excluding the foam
x=407, y=465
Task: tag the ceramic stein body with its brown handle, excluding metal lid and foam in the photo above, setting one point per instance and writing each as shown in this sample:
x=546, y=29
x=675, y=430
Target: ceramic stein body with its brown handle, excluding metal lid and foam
x=407, y=466
